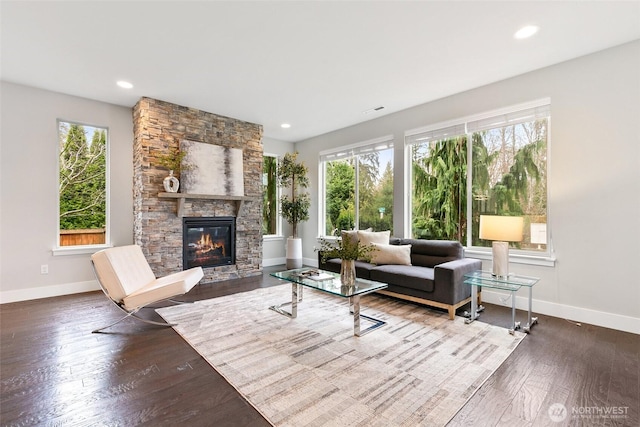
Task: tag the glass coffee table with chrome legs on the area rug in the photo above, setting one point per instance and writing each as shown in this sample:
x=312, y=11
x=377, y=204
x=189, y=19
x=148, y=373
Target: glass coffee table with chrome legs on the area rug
x=300, y=278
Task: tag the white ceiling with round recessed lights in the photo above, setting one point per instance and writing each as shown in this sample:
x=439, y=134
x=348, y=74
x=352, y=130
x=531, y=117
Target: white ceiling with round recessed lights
x=316, y=65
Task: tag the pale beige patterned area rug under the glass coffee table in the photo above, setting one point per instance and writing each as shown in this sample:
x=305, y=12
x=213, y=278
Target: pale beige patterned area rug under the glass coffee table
x=417, y=370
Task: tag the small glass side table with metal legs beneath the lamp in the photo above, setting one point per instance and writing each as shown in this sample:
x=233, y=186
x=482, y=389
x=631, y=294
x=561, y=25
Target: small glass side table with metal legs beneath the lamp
x=511, y=283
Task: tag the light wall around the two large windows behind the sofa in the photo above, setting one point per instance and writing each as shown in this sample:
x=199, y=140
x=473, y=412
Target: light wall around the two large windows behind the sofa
x=594, y=180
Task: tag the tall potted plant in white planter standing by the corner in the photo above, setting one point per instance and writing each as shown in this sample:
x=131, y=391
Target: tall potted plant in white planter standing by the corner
x=294, y=207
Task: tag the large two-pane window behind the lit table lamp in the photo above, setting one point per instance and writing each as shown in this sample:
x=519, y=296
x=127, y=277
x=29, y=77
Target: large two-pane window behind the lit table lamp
x=494, y=164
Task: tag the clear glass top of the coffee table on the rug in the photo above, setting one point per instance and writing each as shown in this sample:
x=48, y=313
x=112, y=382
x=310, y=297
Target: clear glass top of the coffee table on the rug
x=332, y=285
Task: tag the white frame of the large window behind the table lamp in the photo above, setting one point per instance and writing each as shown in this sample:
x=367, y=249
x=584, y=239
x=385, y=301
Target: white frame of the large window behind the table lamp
x=545, y=258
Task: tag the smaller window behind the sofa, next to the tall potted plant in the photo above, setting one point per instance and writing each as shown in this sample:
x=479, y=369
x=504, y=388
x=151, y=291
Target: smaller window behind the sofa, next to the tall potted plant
x=358, y=187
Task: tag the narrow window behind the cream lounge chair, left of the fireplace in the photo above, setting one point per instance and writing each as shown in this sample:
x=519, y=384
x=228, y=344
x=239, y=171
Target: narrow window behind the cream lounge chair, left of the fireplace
x=82, y=185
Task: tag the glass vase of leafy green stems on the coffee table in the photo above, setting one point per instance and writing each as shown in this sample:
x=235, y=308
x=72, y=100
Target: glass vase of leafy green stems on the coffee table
x=348, y=250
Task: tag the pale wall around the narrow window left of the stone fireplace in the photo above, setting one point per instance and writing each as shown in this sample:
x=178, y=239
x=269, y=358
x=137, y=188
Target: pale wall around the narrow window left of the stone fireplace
x=28, y=189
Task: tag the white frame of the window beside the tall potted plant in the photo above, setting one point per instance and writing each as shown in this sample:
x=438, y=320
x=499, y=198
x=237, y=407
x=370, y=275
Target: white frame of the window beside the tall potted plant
x=342, y=153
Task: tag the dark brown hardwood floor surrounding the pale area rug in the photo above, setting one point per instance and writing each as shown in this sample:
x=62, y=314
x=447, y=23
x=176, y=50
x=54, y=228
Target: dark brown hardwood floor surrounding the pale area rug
x=54, y=371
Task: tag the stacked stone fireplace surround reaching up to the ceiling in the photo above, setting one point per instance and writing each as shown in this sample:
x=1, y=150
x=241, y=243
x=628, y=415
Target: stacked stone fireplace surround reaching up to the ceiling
x=159, y=127
